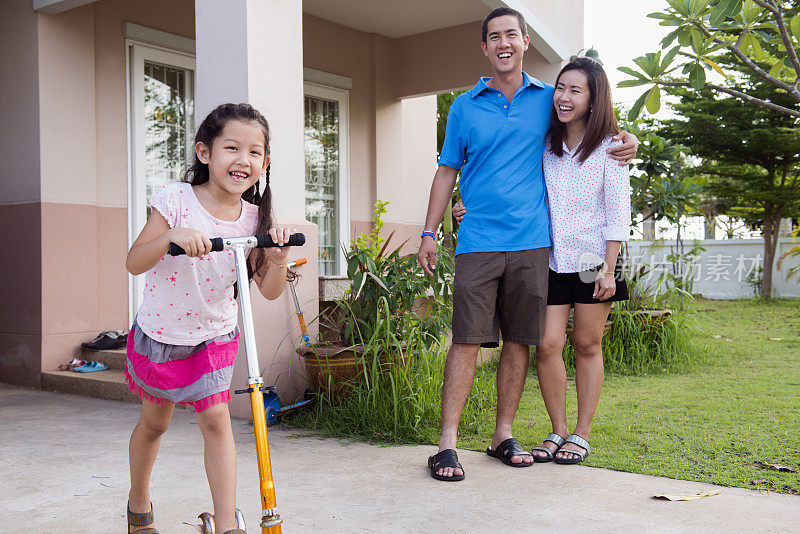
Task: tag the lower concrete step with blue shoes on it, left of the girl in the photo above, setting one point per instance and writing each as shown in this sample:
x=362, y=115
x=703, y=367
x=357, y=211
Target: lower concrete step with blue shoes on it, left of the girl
x=108, y=384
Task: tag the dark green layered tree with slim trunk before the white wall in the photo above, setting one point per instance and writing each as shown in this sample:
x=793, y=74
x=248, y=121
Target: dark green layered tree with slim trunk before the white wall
x=750, y=155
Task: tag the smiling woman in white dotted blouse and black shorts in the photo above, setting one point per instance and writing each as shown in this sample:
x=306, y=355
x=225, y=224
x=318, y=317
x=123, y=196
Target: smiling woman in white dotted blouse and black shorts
x=590, y=215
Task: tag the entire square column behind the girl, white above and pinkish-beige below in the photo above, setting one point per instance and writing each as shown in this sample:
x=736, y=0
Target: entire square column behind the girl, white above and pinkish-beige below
x=252, y=51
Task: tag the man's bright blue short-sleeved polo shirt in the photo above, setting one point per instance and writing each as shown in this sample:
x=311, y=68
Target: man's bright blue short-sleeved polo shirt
x=499, y=146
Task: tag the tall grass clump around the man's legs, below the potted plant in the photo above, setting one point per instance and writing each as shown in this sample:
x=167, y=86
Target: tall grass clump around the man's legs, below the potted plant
x=398, y=395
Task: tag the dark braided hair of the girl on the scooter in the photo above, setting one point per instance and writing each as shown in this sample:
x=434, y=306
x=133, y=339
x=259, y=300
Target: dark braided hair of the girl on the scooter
x=197, y=174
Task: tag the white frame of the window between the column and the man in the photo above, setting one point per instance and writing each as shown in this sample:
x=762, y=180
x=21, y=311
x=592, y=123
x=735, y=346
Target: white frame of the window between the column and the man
x=342, y=97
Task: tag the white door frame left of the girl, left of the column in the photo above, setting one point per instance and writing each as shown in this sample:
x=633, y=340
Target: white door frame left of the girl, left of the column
x=143, y=44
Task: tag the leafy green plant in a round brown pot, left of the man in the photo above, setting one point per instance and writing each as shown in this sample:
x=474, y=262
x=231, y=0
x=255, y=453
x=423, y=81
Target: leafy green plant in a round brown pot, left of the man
x=388, y=309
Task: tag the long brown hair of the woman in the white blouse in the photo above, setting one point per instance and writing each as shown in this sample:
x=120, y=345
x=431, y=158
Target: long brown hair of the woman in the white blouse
x=601, y=121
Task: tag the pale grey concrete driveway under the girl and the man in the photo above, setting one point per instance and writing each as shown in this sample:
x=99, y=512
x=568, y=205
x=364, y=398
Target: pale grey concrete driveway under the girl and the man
x=63, y=468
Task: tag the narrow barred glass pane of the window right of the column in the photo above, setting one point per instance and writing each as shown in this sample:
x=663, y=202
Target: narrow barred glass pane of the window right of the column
x=322, y=177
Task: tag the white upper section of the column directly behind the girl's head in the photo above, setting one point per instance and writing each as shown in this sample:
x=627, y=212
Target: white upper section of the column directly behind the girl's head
x=252, y=51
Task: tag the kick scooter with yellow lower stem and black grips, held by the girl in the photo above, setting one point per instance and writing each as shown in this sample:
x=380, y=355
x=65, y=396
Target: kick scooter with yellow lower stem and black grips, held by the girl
x=270, y=519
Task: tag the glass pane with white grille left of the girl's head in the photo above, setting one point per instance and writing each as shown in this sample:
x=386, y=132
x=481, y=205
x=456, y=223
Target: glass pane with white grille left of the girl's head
x=168, y=123
